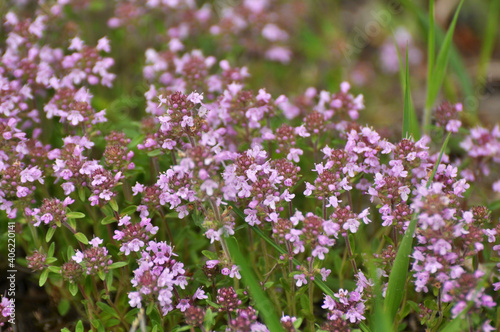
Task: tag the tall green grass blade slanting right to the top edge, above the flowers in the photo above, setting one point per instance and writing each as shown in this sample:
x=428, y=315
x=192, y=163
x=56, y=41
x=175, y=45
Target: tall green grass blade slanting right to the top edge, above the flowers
x=438, y=73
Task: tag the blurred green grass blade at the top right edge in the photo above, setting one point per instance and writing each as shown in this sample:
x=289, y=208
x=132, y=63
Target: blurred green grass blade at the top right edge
x=489, y=40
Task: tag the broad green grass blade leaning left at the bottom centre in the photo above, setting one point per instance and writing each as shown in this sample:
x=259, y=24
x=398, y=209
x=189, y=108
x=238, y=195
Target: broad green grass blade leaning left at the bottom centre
x=262, y=302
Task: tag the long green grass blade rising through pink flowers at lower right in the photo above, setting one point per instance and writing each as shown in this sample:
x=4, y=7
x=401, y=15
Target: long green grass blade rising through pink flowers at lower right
x=399, y=272
